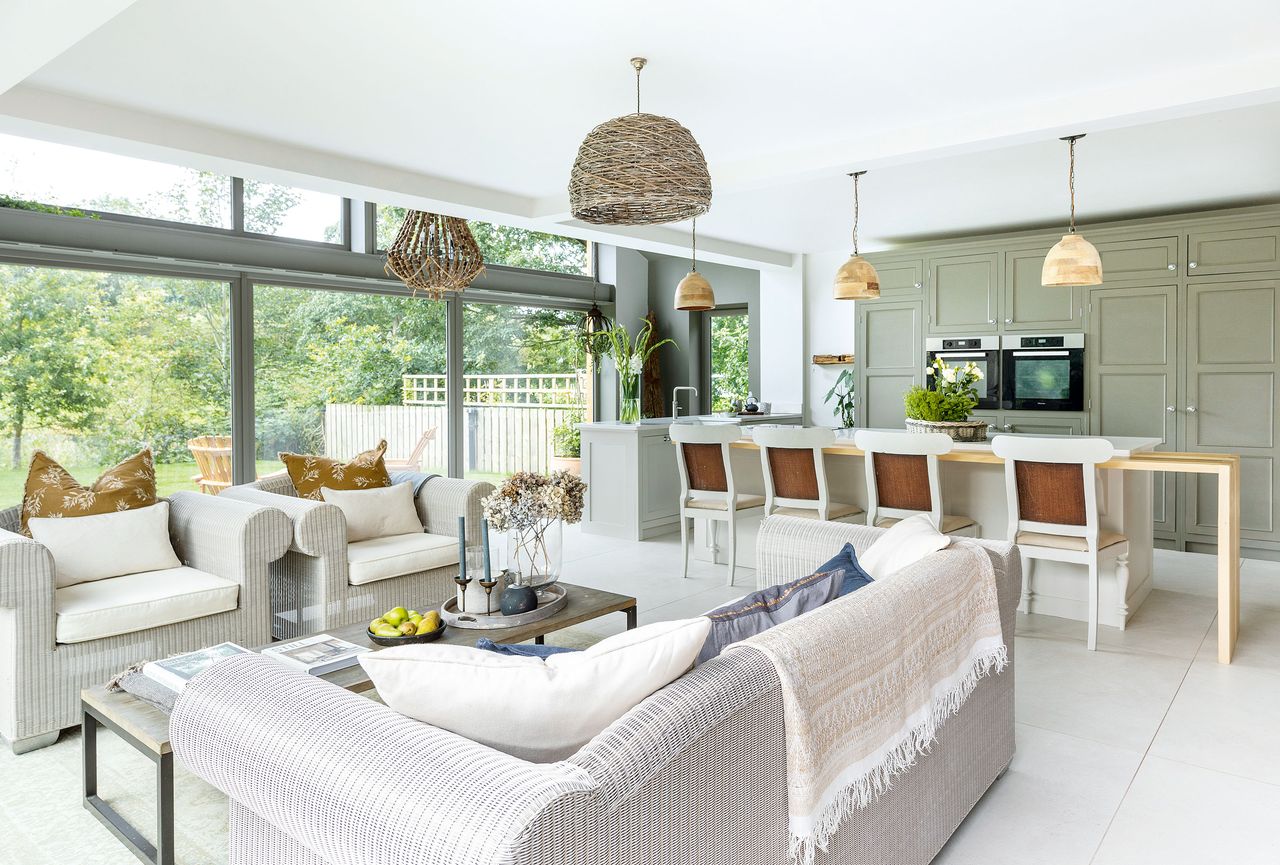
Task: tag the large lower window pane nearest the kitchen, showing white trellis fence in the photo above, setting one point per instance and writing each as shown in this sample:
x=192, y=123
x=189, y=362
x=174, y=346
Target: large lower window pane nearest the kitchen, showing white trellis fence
x=527, y=387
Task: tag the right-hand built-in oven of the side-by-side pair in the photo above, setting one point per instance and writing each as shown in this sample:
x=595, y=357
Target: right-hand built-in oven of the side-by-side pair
x=1044, y=373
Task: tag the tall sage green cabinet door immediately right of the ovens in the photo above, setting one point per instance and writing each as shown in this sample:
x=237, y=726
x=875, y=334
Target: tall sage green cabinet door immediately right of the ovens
x=1133, y=377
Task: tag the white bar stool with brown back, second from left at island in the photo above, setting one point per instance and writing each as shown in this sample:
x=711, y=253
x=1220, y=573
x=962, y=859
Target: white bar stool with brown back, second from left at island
x=796, y=474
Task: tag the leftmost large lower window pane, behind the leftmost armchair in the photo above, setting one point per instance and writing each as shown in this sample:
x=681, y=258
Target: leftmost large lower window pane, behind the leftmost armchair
x=97, y=365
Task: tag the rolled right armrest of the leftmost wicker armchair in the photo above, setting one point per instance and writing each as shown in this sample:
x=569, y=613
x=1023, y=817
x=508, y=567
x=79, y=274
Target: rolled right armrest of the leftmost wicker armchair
x=227, y=538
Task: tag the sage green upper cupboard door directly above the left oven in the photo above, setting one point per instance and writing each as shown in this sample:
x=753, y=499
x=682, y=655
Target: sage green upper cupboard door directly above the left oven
x=963, y=294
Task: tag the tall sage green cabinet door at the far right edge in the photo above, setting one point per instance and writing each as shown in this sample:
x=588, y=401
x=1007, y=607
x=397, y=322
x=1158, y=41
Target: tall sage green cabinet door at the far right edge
x=1233, y=368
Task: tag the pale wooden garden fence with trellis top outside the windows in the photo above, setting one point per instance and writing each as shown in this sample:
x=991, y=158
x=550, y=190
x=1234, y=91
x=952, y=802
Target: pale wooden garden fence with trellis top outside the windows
x=510, y=420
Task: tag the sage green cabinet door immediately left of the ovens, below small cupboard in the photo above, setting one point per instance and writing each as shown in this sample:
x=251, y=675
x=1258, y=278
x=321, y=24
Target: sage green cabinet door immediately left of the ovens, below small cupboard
x=890, y=359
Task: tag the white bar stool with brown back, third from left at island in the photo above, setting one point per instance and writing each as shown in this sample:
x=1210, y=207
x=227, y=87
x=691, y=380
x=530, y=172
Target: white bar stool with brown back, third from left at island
x=903, y=480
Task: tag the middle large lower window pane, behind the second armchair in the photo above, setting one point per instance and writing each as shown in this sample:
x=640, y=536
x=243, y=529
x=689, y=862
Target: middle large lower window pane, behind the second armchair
x=337, y=372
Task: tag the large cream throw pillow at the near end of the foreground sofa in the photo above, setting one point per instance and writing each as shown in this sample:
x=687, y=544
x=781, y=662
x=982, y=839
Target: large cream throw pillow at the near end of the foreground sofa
x=536, y=710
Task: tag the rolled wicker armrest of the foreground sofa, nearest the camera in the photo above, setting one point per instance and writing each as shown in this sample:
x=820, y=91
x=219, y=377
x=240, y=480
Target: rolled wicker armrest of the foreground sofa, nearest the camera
x=350, y=779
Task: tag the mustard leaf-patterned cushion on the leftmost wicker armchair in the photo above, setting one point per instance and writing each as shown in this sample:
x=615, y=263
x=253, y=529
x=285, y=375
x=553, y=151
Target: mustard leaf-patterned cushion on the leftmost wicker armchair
x=52, y=492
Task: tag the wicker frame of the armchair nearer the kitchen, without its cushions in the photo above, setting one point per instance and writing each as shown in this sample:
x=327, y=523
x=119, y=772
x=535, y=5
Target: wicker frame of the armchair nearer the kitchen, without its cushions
x=312, y=585
